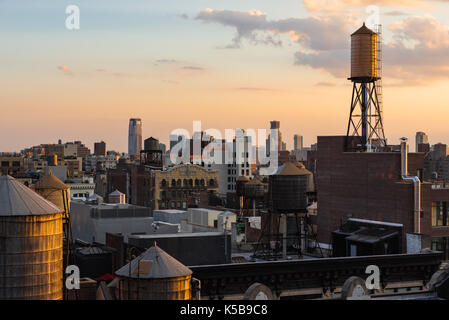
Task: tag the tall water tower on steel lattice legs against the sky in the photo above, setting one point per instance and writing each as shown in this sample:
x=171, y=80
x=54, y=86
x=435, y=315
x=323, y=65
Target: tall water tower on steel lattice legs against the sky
x=365, y=128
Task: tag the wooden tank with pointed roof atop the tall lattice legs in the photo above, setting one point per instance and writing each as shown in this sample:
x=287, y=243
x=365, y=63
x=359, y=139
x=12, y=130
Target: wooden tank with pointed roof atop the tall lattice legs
x=363, y=54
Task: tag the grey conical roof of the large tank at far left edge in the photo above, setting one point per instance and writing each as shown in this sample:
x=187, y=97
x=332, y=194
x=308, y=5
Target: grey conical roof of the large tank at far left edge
x=17, y=199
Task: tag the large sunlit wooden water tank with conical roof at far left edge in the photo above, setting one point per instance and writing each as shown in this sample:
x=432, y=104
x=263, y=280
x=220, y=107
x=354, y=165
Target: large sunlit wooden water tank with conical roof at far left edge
x=31, y=250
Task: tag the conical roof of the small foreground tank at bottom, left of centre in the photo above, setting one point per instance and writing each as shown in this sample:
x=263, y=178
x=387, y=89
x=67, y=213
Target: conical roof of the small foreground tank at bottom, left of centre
x=154, y=263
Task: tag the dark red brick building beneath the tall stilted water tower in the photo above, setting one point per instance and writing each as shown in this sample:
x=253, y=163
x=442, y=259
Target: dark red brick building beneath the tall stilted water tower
x=368, y=185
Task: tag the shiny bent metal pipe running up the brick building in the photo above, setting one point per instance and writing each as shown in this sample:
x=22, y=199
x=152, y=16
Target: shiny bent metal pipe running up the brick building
x=416, y=184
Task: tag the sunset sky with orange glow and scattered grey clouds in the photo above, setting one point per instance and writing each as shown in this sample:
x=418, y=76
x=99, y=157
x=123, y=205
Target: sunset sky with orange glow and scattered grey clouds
x=229, y=64
